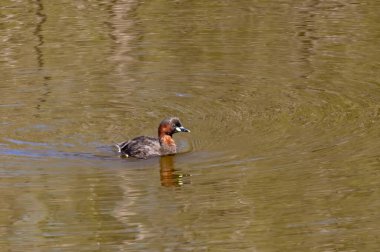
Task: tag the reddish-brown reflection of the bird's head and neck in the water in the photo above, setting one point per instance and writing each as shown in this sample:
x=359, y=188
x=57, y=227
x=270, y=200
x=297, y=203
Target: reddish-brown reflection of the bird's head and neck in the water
x=169, y=175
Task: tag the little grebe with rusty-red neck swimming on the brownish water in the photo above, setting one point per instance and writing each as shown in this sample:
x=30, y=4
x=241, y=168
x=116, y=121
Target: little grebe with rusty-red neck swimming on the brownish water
x=145, y=147
